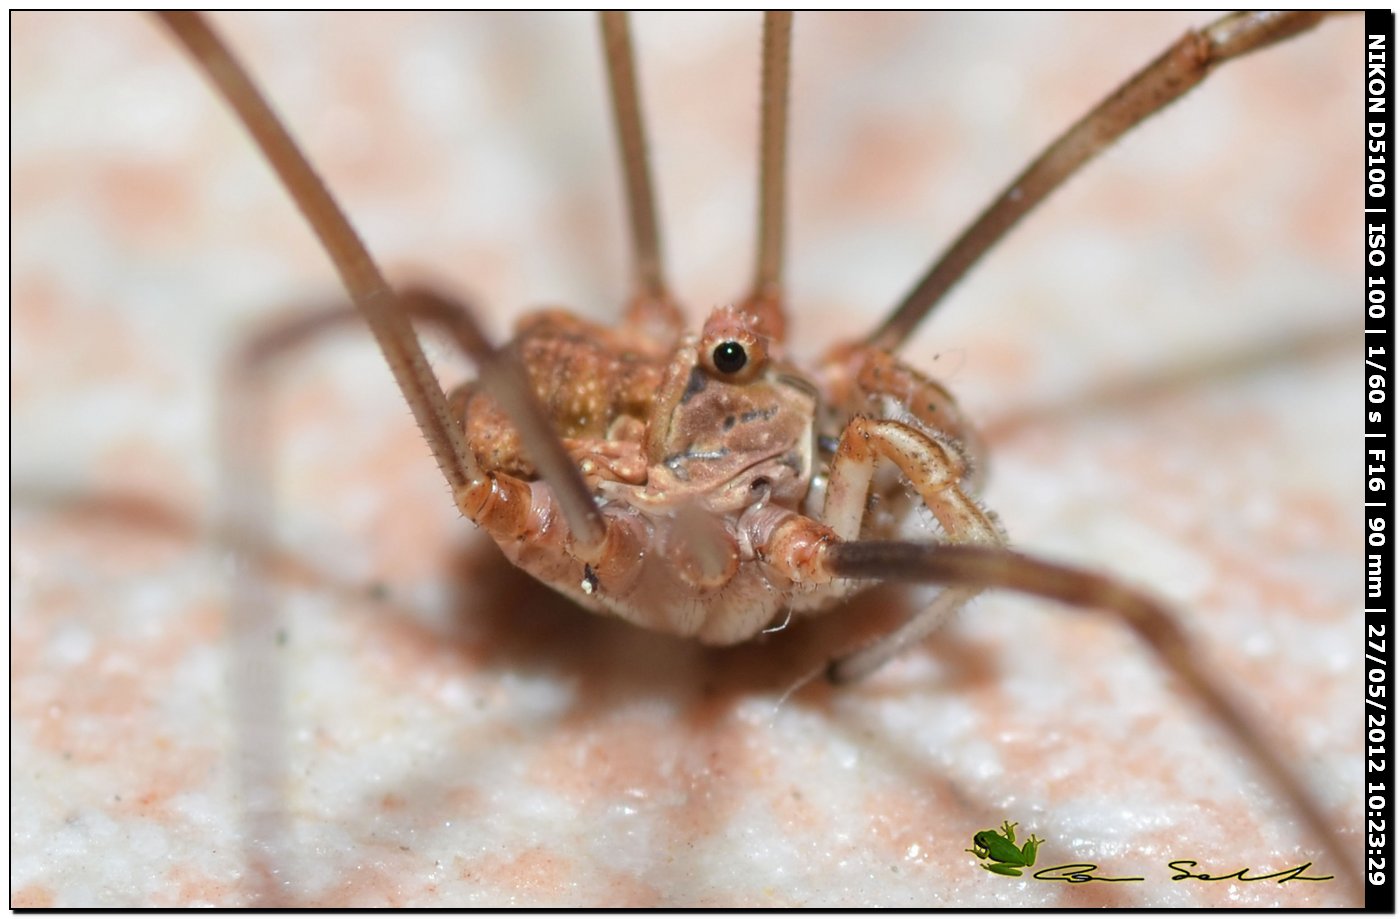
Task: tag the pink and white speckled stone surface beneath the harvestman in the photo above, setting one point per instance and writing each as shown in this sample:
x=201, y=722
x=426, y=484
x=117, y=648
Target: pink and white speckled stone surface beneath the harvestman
x=1164, y=362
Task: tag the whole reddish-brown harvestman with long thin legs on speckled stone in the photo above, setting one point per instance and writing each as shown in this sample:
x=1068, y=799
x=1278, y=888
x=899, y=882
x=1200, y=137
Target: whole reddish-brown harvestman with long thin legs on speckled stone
x=642, y=462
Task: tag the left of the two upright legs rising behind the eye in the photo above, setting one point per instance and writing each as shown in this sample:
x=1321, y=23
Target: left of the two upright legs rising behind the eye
x=652, y=308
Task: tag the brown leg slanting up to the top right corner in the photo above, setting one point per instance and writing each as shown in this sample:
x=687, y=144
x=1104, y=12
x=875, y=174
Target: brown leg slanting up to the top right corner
x=1163, y=82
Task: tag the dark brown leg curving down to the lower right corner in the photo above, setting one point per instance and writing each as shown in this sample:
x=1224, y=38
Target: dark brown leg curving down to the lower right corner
x=981, y=568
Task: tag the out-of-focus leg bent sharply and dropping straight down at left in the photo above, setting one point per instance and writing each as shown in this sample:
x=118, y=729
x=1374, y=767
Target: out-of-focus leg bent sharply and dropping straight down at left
x=255, y=623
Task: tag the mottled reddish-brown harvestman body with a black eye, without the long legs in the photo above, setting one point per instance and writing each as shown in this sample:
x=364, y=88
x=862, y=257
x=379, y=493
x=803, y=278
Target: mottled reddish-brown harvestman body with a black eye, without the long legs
x=695, y=471
